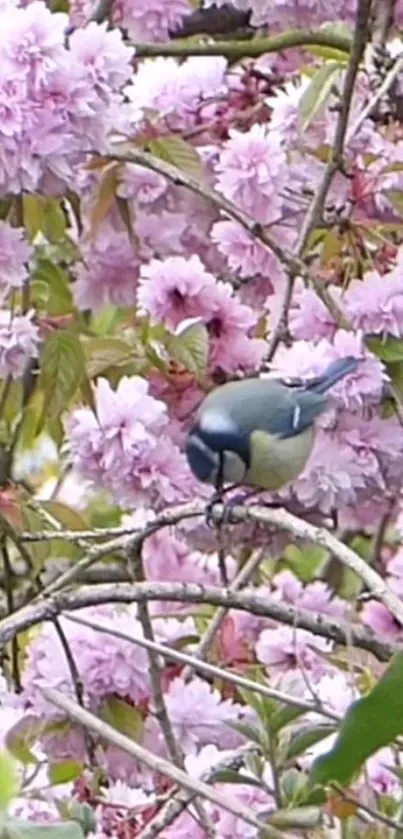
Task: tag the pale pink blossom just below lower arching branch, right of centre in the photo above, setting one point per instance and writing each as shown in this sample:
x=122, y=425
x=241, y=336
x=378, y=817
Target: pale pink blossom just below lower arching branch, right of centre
x=285, y=649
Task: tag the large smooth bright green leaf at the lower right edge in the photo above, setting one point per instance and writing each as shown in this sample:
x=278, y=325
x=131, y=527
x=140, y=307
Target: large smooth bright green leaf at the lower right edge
x=371, y=722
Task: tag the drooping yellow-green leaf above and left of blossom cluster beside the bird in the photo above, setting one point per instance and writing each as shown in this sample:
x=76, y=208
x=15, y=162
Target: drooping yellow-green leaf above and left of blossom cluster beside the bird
x=62, y=371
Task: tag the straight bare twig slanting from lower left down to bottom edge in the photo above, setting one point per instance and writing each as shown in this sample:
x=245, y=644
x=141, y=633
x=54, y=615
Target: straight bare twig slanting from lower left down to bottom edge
x=154, y=762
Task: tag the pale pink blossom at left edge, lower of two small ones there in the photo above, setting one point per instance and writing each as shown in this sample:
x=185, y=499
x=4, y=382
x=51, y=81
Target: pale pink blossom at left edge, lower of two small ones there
x=18, y=343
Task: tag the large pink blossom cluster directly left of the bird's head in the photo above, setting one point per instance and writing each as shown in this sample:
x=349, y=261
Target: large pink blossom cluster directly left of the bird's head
x=125, y=450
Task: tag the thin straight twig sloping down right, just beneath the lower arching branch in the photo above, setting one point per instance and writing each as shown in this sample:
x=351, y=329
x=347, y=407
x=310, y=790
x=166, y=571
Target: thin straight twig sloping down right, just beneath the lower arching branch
x=206, y=668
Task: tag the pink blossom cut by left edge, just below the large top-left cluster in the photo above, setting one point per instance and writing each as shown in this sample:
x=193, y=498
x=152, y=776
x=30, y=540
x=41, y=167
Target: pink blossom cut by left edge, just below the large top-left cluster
x=15, y=253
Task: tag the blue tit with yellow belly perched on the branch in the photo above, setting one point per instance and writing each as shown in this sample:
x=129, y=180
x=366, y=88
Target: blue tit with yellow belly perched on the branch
x=259, y=432
